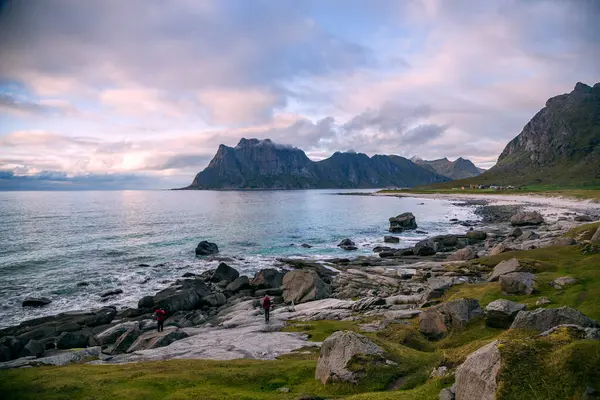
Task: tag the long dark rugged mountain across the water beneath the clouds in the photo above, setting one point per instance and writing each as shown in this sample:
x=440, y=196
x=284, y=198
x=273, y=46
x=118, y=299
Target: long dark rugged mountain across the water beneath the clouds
x=262, y=164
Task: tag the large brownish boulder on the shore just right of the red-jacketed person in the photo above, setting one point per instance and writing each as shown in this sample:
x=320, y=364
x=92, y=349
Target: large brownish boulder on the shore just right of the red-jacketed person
x=301, y=286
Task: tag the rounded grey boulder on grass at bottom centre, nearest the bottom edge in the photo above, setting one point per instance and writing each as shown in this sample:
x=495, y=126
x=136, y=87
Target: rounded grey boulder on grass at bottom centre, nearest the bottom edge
x=341, y=349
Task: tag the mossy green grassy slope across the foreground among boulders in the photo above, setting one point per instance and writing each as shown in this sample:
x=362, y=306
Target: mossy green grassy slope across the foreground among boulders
x=553, y=369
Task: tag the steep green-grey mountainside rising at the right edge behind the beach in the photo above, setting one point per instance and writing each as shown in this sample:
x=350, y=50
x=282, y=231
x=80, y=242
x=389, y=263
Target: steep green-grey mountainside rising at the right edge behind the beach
x=559, y=146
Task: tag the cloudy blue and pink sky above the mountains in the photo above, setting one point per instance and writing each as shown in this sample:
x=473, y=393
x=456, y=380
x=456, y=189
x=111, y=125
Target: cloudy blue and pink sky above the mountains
x=140, y=93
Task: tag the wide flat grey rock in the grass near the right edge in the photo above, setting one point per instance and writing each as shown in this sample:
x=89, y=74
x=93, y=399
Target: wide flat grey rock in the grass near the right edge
x=543, y=319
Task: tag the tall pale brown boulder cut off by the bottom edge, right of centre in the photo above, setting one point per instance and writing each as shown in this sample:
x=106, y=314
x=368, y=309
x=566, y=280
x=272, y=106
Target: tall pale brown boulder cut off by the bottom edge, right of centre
x=476, y=378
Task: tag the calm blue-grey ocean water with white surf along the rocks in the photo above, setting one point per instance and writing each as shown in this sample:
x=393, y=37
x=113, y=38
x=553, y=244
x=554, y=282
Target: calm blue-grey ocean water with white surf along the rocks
x=50, y=241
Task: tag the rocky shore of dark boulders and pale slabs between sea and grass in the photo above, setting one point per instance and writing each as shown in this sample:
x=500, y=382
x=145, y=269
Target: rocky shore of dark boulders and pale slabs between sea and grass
x=216, y=315
